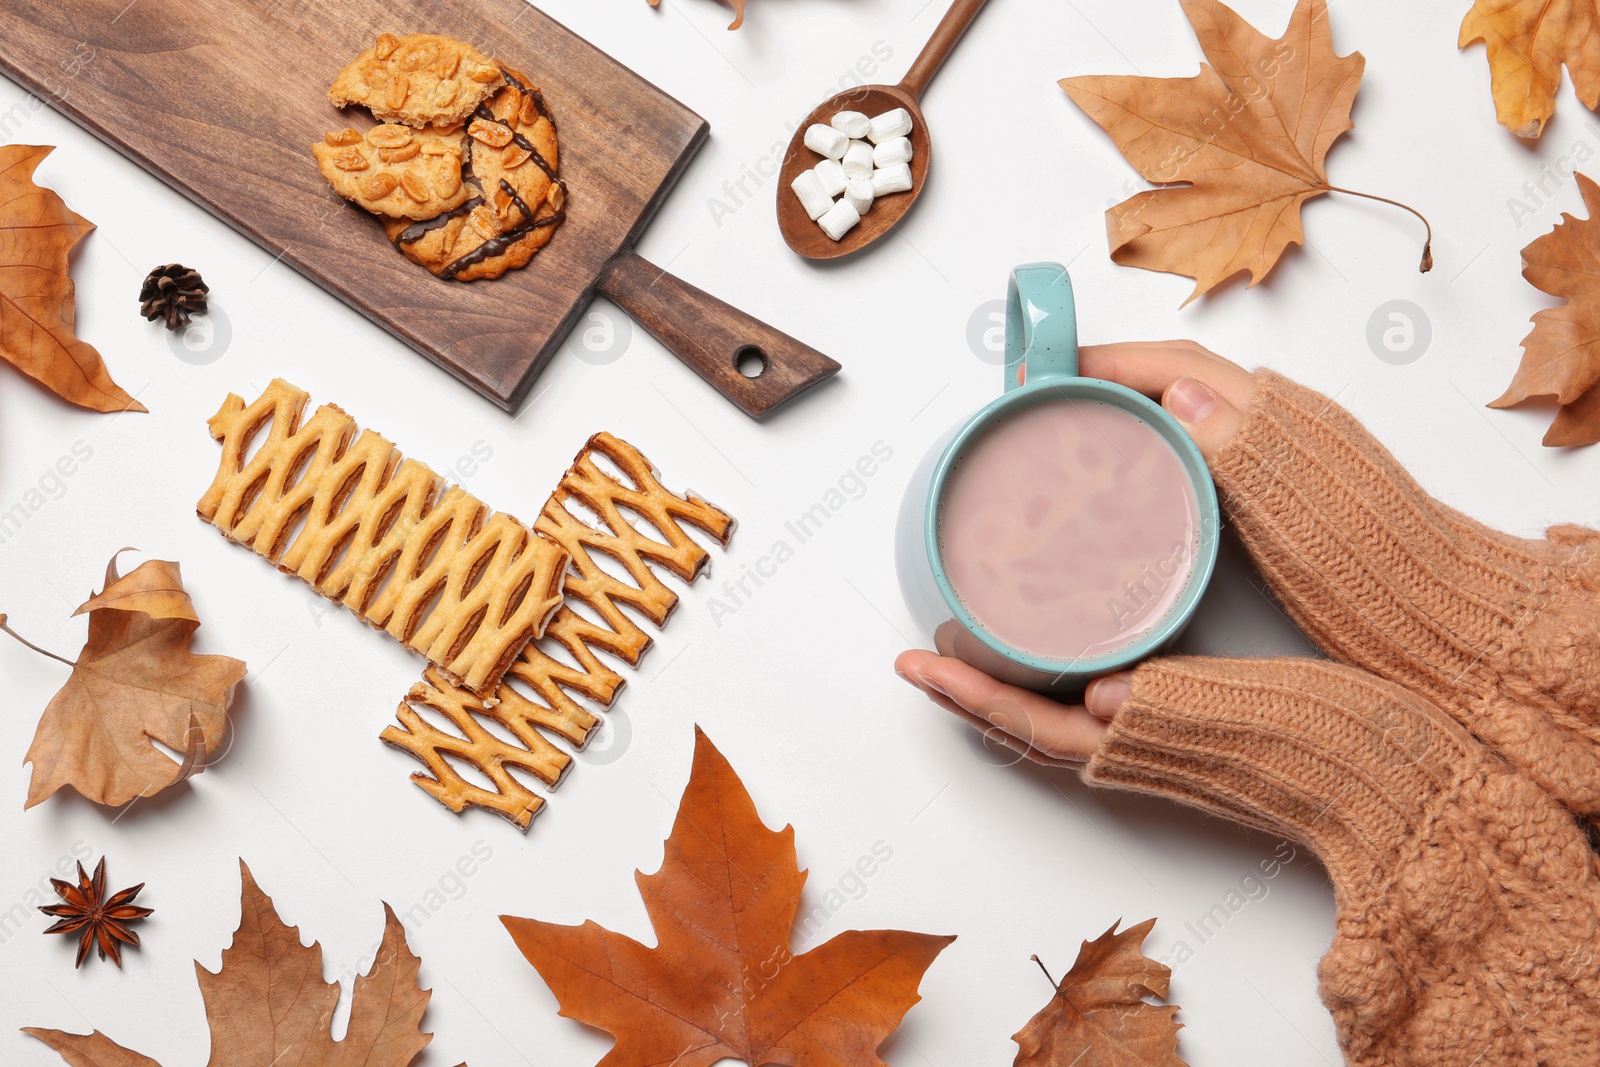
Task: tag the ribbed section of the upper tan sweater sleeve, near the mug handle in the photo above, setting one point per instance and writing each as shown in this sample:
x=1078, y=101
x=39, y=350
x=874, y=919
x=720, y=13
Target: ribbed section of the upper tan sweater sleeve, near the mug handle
x=1375, y=570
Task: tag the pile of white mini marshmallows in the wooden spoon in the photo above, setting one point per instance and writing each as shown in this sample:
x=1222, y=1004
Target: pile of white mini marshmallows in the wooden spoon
x=863, y=159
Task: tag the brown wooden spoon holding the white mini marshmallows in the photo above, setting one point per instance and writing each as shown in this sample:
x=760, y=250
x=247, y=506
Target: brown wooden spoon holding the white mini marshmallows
x=798, y=228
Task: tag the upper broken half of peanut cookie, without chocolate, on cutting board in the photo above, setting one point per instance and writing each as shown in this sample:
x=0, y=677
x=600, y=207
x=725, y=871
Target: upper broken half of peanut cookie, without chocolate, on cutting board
x=418, y=81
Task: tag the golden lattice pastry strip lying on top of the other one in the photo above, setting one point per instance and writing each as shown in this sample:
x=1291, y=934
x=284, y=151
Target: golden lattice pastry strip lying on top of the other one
x=383, y=535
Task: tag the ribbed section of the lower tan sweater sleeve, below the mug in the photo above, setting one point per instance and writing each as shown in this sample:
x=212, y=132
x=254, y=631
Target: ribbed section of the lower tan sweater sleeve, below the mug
x=1322, y=754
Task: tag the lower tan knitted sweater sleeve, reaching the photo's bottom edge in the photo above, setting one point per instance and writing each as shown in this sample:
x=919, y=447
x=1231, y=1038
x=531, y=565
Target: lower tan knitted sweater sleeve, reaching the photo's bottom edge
x=1468, y=898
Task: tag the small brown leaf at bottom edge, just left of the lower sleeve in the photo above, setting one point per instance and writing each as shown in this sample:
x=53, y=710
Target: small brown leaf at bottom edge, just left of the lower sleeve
x=1098, y=1017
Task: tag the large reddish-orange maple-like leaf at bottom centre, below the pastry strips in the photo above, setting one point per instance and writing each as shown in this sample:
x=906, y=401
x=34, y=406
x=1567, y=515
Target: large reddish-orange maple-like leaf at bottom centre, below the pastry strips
x=721, y=981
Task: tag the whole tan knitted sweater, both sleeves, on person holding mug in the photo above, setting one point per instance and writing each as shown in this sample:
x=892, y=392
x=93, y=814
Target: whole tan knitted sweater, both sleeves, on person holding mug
x=1441, y=770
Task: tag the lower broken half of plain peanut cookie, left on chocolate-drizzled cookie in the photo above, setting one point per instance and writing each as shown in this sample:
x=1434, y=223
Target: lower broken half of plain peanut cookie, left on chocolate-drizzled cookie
x=396, y=170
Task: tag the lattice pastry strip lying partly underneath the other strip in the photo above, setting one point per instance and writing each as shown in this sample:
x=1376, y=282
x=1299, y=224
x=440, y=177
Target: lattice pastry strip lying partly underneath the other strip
x=586, y=487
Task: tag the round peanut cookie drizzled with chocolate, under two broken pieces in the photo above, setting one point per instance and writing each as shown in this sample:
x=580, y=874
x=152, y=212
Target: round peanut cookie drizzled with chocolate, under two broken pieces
x=519, y=198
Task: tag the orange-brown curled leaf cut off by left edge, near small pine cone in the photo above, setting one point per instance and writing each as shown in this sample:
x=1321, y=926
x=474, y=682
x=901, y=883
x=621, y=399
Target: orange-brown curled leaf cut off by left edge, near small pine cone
x=38, y=311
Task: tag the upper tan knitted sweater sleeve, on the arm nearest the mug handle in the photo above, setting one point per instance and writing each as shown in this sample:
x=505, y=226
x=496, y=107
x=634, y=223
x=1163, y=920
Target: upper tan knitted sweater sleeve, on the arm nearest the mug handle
x=1502, y=633
